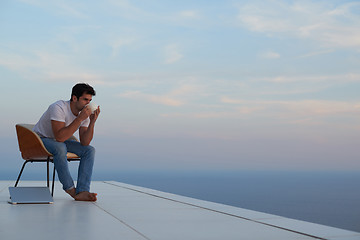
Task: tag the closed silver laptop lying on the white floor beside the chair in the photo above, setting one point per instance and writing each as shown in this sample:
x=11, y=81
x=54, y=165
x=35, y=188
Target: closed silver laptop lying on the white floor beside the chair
x=20, y=195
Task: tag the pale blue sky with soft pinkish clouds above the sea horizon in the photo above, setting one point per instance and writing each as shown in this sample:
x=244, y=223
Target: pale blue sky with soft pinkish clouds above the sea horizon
x=191, y=85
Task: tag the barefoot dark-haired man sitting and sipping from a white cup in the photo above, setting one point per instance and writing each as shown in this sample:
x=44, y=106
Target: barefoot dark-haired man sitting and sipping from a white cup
x=61, y=120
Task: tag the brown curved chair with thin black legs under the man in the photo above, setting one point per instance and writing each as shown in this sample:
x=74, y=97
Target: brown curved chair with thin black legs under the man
x=33, y=150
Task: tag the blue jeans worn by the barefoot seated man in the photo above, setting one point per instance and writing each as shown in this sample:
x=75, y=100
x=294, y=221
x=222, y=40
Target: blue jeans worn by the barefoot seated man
x=86, y=154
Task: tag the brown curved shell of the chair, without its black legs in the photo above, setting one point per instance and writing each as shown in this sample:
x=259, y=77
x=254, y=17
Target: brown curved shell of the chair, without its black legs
x=30, y=144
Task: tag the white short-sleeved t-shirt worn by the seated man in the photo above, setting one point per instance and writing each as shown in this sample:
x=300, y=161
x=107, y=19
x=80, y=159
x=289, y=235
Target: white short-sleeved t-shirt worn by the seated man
x=58, y=111
